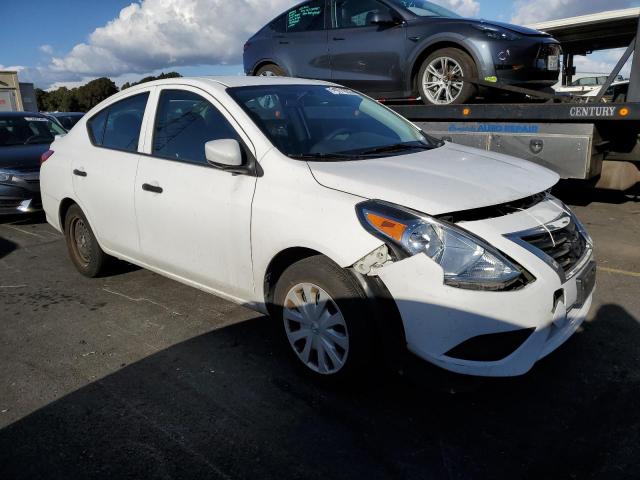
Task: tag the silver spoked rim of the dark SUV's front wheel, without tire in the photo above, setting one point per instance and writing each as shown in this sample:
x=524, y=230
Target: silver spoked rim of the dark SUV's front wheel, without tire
x=442, y=80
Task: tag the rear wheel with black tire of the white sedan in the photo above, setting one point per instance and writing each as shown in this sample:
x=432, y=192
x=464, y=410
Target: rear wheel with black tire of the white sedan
x=83, y=247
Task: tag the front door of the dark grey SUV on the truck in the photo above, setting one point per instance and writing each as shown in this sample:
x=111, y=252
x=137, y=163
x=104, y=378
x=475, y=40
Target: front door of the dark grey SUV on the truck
x=364, y=56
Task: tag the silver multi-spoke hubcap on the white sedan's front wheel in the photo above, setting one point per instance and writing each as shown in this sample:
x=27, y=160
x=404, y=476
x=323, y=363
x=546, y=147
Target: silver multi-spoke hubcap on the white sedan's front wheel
x=316, y=328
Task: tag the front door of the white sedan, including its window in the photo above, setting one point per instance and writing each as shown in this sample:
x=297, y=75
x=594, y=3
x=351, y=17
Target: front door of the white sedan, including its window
x=193, y=218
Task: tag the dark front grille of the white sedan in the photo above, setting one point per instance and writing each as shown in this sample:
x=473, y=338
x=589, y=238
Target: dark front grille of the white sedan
x=565, y=245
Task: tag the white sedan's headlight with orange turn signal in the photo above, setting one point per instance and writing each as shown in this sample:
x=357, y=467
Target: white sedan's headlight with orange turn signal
x=467, y=261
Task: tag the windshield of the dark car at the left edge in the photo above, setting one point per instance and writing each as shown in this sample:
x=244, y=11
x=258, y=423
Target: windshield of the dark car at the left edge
x=27, y=130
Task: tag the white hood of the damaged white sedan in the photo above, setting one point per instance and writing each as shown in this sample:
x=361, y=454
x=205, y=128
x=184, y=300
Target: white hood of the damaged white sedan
x=447, y=179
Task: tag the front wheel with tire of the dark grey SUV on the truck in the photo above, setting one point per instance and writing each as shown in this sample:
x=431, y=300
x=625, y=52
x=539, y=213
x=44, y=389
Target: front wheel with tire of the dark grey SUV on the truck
x=441, y=77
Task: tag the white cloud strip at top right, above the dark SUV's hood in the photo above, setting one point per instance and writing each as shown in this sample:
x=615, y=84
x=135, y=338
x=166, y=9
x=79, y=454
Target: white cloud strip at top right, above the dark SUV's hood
x=528, y=11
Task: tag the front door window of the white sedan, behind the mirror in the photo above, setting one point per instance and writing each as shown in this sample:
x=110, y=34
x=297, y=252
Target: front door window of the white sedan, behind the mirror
x=184, y=123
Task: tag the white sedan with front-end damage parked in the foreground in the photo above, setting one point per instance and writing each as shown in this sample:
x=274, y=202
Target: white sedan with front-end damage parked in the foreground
x=361, y=234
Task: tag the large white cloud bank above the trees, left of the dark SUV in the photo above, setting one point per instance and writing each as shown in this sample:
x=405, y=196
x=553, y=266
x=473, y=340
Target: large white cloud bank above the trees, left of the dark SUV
x=163, y=34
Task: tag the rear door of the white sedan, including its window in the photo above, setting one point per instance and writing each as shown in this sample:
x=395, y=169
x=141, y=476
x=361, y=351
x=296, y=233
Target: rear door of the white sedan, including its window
x=104, y=174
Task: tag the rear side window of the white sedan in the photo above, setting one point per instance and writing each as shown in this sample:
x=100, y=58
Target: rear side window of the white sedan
x=118, y=126
